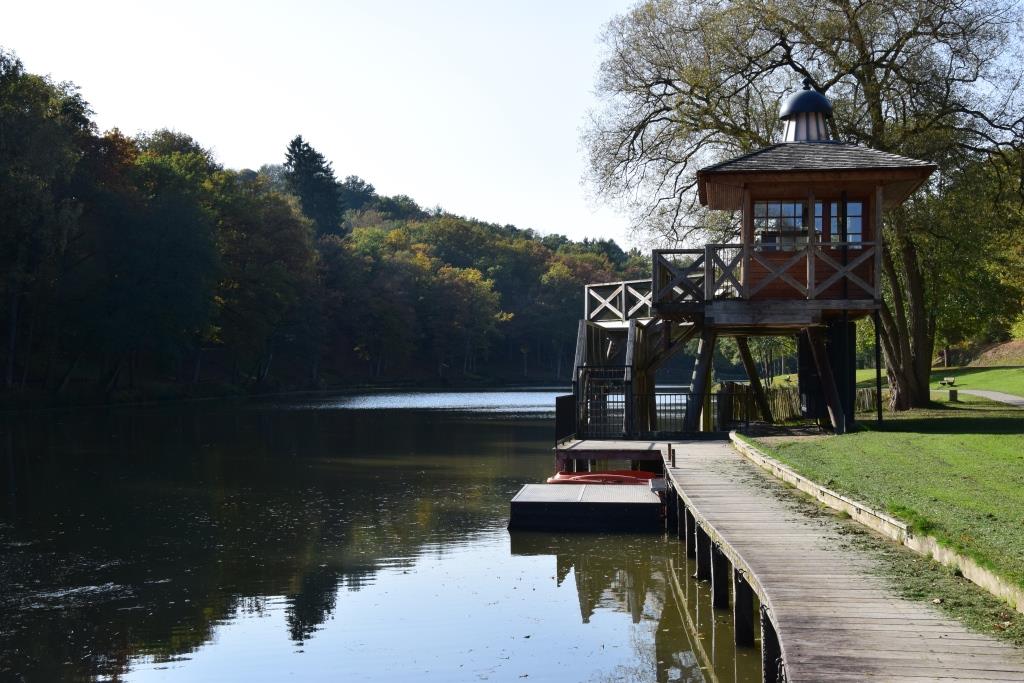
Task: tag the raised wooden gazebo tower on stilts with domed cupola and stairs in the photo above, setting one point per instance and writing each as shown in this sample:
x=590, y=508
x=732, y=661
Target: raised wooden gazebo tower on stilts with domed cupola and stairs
x=808, y=264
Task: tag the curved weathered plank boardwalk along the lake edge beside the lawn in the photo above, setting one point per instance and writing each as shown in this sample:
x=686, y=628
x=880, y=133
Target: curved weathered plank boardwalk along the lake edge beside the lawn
x=835, y=619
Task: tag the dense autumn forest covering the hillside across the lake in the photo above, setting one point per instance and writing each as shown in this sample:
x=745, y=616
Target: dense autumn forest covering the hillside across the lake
x=140, y=265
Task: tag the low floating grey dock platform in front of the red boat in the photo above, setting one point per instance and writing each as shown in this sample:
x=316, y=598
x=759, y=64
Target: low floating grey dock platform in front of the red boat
x=587, y=508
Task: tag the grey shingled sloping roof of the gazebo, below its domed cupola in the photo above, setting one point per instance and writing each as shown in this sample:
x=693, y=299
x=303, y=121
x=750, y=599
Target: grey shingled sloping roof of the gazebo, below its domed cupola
x=824, y=156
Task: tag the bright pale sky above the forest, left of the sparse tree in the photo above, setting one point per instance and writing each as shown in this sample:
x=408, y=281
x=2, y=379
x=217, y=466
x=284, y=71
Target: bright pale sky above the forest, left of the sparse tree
x=475, y=106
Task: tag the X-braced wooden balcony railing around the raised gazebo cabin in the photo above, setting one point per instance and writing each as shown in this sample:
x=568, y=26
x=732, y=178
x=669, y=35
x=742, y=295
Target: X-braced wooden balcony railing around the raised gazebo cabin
x=749, y=272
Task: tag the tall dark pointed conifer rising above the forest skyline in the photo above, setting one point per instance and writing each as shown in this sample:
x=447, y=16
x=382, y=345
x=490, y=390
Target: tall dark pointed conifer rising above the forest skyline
x=310, y=176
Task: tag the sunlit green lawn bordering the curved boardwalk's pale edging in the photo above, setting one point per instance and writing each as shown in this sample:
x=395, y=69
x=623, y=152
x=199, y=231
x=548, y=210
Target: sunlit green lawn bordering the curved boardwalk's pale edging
x=955, y=472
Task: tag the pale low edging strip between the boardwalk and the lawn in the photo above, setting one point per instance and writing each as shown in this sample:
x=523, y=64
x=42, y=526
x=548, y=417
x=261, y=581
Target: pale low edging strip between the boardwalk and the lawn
x=889, y=527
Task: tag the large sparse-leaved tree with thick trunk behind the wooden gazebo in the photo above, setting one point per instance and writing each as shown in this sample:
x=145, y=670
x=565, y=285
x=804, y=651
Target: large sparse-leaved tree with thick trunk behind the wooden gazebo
x=690, y=83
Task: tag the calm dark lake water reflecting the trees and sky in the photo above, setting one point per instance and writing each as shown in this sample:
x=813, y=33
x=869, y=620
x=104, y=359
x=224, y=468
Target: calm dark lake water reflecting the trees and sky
x=355, y=538
